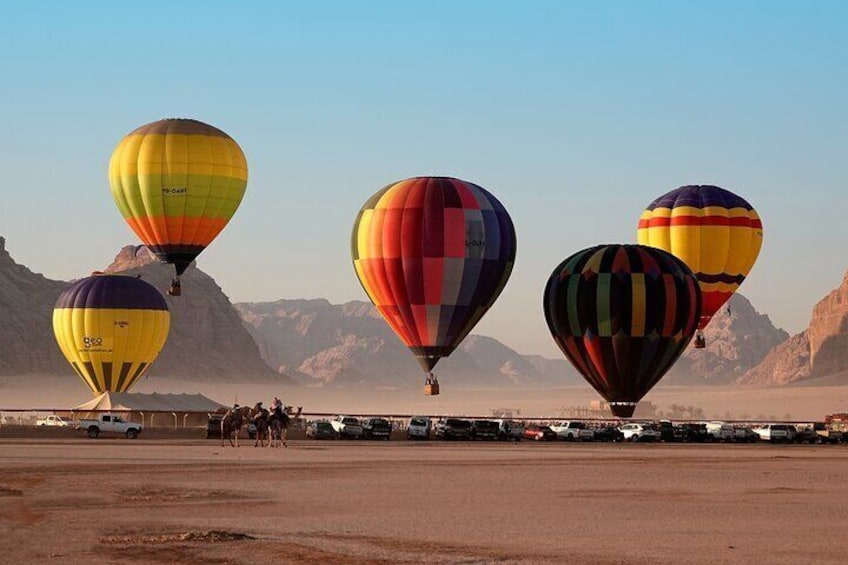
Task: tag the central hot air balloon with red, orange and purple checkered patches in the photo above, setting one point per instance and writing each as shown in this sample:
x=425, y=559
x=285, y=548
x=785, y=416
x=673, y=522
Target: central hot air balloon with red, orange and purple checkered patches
x=433, y=254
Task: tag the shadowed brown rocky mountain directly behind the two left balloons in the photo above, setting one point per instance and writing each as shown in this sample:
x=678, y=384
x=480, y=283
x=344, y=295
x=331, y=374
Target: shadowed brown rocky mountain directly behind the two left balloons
x=207, y=341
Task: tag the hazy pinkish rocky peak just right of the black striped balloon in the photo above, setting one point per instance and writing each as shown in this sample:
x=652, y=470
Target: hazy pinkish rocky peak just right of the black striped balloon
x=738, y=338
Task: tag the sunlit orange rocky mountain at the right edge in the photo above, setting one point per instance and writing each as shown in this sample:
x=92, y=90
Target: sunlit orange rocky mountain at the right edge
x=818, y=351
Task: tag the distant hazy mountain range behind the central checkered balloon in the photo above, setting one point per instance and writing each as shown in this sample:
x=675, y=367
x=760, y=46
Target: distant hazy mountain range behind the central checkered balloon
x=325, y=344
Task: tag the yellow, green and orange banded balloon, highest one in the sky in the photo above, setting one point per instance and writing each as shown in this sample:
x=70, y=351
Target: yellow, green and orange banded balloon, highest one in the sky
x=177, y=183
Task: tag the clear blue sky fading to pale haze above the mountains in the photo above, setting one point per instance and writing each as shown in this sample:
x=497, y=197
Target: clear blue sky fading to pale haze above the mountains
x=574, y=114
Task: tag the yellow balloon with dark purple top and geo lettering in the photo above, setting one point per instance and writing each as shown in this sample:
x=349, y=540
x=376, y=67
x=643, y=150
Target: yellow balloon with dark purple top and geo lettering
x=110, y=329
